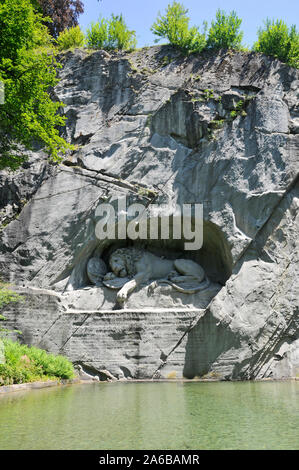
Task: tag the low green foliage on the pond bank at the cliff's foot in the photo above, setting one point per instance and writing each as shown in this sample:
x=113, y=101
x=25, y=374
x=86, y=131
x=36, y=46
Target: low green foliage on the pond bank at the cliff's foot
x=28, y=364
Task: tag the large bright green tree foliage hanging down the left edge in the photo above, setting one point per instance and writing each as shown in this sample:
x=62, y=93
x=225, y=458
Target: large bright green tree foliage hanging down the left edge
x=28, y=69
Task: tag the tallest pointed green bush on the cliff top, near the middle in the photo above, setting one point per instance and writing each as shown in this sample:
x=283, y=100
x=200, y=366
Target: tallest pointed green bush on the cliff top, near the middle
x=174, y=26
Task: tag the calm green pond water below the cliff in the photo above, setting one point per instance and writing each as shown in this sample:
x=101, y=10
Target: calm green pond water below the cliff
x=162, y=416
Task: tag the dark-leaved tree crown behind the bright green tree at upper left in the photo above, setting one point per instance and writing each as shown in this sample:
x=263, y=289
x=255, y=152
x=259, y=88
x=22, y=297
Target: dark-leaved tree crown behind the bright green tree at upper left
x=63, y=13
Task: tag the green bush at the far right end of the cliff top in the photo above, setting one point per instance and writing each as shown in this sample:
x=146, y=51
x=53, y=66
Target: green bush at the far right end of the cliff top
x=279, y=41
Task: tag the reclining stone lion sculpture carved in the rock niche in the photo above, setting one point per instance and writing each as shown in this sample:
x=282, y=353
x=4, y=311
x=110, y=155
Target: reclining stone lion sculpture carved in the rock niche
x=132, y=267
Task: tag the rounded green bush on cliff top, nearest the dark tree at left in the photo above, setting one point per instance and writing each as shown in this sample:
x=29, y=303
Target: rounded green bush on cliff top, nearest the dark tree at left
x=111, y=34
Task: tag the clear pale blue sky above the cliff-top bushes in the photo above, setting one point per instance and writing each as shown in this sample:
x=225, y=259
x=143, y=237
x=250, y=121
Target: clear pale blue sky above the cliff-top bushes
x=140, y=15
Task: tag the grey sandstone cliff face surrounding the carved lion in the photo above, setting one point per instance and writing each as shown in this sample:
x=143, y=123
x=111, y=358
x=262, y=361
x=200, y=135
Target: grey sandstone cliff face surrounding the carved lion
x=158, y=128
